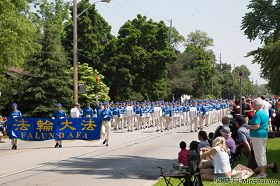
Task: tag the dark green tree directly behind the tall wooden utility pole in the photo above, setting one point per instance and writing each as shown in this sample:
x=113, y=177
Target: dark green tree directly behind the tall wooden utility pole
x=93, y=35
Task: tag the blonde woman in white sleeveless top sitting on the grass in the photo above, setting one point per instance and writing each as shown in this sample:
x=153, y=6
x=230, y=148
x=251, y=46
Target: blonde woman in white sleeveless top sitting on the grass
x=219, y=154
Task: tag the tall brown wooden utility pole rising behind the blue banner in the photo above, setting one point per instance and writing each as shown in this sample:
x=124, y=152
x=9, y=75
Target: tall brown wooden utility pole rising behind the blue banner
x=75, y=50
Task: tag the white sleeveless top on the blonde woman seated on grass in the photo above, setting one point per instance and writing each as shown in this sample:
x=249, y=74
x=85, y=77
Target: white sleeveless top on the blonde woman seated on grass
x=221, y=161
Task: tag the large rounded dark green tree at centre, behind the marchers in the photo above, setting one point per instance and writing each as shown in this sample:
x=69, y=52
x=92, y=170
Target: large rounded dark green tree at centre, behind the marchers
x=136, y=62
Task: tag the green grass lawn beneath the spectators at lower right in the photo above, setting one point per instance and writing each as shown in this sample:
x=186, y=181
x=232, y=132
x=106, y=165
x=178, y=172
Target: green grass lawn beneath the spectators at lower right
x=273, y=155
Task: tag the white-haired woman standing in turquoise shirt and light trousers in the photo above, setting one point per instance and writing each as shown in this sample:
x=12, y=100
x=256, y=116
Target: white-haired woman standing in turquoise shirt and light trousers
x=258, y=135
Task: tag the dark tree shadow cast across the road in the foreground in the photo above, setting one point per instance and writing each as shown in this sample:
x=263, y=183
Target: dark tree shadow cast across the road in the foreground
x=132, y=167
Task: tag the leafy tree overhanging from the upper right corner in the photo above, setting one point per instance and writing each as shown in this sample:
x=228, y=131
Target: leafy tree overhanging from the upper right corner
x=263, y=22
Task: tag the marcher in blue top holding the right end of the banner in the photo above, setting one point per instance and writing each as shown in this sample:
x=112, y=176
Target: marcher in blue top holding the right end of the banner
x=106, y=115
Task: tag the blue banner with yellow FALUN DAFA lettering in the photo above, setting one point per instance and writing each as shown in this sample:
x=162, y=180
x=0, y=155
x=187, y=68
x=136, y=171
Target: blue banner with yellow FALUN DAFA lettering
x=39, y=129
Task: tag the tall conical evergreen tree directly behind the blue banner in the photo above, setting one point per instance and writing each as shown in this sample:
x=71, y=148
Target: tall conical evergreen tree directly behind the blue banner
x=47, y=82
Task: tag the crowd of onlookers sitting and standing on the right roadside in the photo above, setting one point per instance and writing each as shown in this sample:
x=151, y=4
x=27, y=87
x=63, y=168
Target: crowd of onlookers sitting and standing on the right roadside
x=245, y=134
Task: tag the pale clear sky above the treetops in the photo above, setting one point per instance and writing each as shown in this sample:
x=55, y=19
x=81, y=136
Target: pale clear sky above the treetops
x=221, y=19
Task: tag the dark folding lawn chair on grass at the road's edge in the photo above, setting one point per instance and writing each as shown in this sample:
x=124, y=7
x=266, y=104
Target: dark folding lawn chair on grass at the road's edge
x=187, y=175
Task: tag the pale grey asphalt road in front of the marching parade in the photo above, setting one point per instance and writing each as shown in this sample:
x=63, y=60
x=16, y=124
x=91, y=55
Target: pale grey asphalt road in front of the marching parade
x=131, y=159
